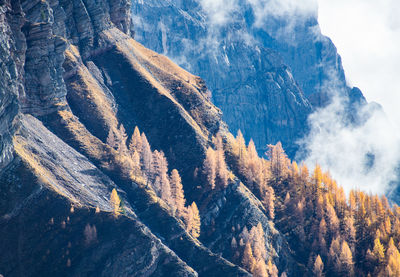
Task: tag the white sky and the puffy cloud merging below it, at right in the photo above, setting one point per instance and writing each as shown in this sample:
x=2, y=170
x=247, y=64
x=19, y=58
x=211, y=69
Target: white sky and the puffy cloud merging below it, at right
x=367, y=36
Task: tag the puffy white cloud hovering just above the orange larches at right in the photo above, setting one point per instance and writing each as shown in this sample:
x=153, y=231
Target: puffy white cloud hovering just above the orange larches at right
x=363, y=157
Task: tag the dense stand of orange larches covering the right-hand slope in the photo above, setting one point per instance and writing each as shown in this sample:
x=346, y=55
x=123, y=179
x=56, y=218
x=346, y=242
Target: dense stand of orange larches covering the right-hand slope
x=318, y=218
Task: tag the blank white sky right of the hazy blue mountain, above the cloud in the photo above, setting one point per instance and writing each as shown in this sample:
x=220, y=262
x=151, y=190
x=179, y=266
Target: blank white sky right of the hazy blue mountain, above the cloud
x=367, y=35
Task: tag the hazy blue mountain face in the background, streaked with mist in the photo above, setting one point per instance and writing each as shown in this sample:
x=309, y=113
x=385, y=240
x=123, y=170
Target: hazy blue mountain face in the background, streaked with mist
x=267, y=67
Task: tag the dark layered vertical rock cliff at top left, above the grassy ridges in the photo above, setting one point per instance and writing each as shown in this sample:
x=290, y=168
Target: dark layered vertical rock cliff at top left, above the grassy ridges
x=48, y=25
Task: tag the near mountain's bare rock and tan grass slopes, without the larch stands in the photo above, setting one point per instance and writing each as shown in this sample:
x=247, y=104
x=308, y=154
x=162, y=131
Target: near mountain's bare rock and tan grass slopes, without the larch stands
x=70, y=73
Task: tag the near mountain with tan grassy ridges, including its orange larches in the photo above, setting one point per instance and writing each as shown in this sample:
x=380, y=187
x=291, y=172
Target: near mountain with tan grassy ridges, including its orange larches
x=115, y=162
